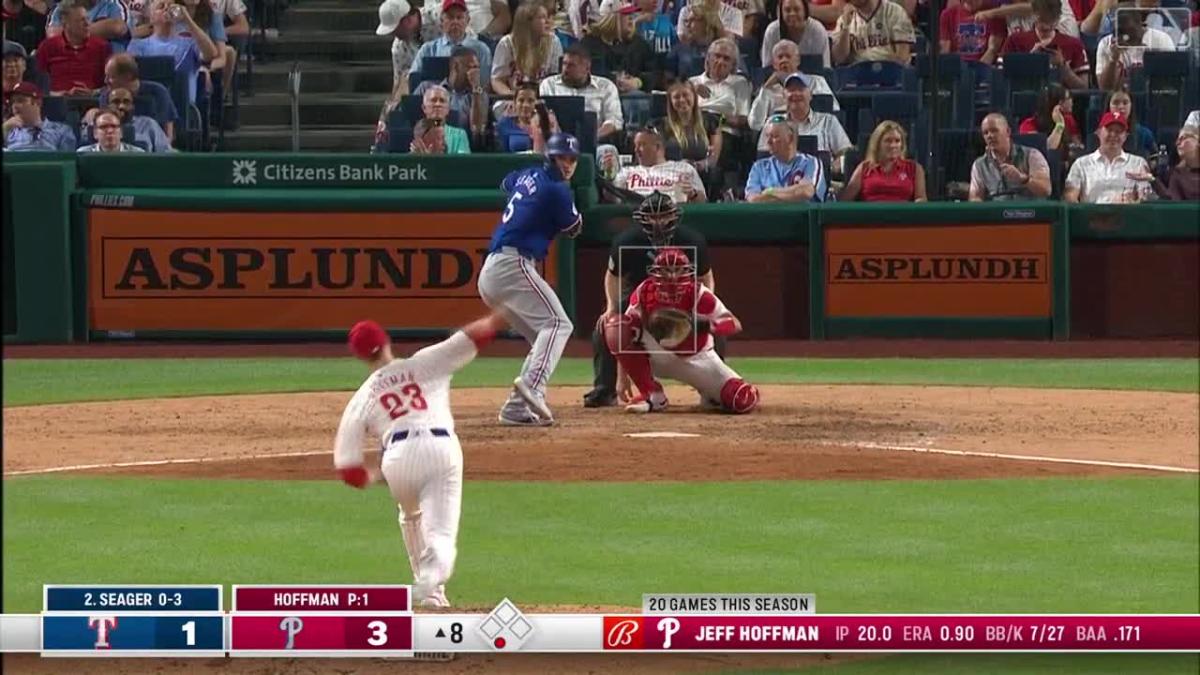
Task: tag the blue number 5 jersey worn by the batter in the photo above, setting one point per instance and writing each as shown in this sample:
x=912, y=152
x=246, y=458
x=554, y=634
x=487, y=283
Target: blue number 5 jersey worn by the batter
x=539, y=208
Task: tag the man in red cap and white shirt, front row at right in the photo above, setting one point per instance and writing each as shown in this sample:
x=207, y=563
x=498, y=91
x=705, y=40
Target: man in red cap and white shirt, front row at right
x=1108, y=176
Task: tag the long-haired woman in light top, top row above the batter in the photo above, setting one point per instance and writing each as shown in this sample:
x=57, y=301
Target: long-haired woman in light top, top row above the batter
x=531, y=52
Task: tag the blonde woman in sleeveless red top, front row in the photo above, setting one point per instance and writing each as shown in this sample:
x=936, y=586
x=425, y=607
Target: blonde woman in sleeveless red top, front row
x=886, y=175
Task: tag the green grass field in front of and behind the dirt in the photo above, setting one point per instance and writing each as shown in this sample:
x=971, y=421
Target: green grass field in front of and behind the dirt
x=1045, y=546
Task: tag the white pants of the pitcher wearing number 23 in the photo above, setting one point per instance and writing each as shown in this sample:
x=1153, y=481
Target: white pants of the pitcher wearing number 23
x=424, y=474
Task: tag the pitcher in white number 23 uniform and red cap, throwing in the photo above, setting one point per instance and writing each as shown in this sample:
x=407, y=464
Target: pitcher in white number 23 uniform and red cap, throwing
x=406, y=404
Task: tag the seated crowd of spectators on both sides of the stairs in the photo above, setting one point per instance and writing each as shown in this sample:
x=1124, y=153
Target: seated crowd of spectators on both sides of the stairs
x=706, y=100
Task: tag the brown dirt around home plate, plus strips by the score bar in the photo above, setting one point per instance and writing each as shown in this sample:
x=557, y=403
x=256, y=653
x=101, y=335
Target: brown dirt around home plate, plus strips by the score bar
x=805, y=433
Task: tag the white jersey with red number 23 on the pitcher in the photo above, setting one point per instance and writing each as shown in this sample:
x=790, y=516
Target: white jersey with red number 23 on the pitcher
x=412, y=393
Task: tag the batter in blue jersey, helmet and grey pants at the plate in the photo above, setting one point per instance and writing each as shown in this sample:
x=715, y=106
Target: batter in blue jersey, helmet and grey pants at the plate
x=541, y=206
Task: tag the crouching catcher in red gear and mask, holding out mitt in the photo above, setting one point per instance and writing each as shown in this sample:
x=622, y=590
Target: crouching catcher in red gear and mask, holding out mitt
x=668, y=331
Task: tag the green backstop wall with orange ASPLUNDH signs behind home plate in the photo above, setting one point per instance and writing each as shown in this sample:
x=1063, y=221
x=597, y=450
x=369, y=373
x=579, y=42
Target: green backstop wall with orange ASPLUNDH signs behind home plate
x=298, y=247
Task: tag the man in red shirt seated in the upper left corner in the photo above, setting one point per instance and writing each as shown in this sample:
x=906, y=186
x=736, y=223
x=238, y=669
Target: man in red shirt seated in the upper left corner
x=74, y=59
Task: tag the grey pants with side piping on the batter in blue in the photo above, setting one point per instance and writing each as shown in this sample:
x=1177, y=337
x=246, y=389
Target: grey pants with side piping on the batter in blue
x=512, y=286
